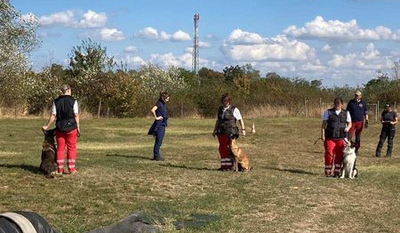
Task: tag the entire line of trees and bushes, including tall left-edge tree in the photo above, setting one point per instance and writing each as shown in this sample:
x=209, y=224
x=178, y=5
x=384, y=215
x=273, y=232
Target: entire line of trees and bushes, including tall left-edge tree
x=105, y=88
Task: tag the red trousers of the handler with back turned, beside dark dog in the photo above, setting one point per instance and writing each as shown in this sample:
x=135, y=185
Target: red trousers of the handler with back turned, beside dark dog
x=66, y=139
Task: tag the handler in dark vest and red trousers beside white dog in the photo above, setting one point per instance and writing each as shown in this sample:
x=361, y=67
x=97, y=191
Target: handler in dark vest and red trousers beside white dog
x=336, y=122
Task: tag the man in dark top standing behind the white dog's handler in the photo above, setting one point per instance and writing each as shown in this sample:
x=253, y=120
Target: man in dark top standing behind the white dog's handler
x=358, y=112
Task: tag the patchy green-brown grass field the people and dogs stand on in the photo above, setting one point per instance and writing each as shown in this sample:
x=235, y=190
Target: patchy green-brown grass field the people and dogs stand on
x=285, y=191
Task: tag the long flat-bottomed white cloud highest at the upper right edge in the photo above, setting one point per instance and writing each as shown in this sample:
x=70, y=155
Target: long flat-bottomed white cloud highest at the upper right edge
x=337, y=30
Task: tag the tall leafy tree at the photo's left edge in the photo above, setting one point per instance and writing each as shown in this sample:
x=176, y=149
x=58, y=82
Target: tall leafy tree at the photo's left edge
x=17, y=40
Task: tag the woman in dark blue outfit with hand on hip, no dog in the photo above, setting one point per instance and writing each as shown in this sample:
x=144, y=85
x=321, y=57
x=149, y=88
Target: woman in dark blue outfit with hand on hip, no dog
x=157, y=129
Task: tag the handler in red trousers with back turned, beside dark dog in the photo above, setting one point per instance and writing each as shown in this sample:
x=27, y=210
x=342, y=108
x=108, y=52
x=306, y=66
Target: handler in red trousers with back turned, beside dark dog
x=66, y=114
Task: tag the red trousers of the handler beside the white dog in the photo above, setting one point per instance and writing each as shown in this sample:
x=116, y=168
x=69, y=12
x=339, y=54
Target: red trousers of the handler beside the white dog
x=333, y=155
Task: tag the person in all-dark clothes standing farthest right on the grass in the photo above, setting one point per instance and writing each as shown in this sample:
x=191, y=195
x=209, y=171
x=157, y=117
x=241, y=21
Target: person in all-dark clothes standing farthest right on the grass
x=389, y=120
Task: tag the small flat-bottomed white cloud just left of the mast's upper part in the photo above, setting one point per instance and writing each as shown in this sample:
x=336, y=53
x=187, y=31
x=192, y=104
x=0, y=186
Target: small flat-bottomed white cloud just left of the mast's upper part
x=150, y=33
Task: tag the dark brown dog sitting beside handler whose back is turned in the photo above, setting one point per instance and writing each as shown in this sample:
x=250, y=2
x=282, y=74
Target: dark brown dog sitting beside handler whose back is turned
x=49, y=153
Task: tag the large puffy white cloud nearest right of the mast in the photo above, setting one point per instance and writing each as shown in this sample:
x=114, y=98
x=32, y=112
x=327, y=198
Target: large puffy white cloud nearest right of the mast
x=279, y=48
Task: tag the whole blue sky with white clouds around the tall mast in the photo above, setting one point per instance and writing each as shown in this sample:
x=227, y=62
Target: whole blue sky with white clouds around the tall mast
x=338, y=41
